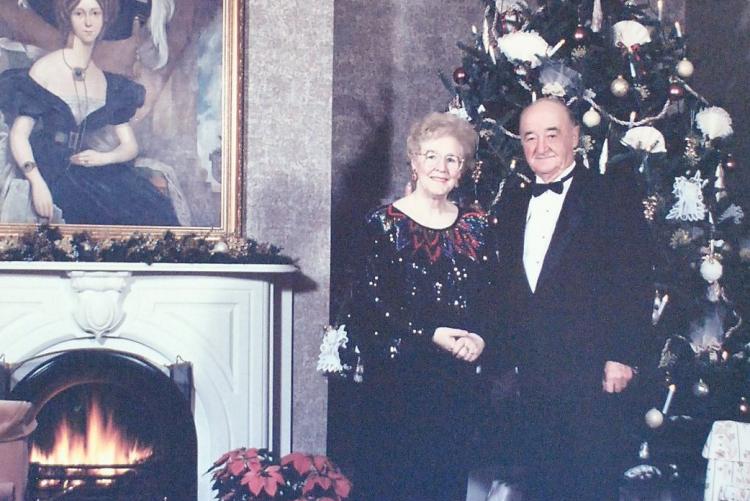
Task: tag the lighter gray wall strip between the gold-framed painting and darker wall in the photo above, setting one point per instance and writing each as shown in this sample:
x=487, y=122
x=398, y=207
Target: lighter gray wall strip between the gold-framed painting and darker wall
x=288, y=64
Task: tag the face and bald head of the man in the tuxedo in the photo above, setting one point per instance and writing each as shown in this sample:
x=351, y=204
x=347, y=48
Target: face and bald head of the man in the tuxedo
x=549, y=139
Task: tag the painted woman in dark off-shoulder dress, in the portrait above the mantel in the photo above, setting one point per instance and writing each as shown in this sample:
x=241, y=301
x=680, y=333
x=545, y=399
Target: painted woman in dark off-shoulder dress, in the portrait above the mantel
x=70, y=132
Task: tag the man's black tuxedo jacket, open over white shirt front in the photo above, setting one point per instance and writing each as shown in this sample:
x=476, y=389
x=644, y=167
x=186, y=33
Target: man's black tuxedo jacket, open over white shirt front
x=594, y=295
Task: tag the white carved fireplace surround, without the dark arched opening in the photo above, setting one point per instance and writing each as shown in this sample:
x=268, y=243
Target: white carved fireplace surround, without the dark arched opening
x=232, y=322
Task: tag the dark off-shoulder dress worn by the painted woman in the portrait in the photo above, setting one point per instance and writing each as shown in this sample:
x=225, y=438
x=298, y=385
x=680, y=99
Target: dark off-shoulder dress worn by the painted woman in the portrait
x=113, y=194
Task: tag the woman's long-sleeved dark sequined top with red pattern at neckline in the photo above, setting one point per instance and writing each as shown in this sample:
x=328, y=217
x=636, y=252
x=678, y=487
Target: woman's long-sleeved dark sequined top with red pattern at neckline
x=414, y=279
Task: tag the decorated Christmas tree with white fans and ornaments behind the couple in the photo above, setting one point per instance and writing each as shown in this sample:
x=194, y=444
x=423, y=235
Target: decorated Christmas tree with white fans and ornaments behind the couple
x=626, y=75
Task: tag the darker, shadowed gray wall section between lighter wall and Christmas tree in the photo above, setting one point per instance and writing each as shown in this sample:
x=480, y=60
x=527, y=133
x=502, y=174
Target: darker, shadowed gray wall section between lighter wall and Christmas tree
x=387, y=55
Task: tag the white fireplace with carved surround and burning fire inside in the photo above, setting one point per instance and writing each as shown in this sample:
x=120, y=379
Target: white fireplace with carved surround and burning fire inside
x=178, y=362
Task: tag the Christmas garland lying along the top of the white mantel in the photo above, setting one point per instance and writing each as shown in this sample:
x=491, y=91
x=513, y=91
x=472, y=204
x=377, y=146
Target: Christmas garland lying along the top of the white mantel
x=47, y=243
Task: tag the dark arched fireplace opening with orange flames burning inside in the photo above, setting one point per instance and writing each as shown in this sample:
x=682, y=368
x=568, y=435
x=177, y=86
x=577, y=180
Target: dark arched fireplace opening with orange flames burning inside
x=111, y=426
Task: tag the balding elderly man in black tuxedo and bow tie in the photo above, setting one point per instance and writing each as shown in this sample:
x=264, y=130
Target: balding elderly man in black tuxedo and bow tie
x=576, y=293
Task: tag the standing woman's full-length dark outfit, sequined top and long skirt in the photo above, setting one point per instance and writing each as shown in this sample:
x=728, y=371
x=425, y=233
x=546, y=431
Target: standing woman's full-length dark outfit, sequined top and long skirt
x=419, y=409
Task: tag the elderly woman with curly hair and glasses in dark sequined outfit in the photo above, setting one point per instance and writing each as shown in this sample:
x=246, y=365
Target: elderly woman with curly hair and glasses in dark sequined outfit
x=411, y=326
